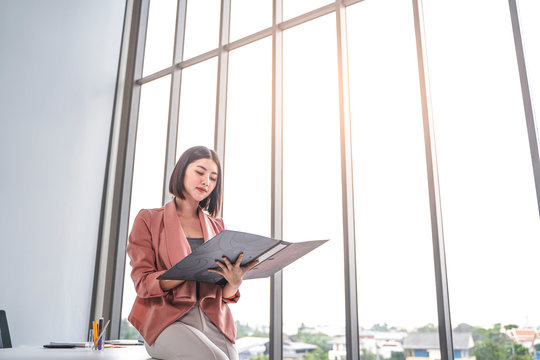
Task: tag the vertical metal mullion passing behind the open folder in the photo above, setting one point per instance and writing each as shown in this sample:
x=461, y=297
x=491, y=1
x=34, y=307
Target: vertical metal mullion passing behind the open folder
x=276, y=282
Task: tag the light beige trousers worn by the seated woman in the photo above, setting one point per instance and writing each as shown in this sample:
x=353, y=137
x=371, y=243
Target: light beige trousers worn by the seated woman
x=192, y=337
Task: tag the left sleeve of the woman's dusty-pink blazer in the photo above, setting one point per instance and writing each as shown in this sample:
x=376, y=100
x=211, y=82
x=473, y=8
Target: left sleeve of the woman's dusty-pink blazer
x=143, y=258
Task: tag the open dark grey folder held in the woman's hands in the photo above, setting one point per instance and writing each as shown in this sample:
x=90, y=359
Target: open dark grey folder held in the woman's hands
x=273, y=256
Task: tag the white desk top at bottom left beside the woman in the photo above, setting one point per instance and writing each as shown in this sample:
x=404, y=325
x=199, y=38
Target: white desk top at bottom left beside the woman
x=132, y=352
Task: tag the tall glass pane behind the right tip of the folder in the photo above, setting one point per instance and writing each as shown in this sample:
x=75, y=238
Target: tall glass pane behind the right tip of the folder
x=313, y=286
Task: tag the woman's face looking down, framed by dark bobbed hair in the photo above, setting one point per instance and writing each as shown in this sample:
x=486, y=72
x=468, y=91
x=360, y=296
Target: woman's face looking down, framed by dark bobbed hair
x=200, y=179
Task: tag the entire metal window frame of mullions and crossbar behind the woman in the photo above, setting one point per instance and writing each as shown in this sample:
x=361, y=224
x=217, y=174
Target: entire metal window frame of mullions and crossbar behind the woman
x=111, y=257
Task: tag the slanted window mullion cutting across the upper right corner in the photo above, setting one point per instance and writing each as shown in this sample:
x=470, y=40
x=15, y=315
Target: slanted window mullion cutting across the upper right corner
x=526, y=95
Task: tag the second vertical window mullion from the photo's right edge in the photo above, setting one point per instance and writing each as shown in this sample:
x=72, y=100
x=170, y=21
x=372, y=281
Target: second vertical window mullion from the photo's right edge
x=441, y=281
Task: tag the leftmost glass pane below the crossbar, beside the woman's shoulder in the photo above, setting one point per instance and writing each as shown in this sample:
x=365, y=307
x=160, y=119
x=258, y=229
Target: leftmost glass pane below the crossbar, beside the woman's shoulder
x=148, y=169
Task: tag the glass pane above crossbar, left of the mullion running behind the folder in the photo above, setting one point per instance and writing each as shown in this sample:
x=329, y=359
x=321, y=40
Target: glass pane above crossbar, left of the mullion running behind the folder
x=248, y=17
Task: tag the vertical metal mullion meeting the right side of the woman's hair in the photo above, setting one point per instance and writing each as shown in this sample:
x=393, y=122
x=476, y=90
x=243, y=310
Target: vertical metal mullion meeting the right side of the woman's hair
x=222, y=75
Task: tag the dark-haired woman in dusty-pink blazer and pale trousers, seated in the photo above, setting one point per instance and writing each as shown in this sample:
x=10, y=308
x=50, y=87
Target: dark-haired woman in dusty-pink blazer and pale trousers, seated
x=184, y=319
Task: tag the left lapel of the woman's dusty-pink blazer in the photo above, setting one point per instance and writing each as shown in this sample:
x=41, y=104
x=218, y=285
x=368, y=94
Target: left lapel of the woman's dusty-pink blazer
x=177, y=244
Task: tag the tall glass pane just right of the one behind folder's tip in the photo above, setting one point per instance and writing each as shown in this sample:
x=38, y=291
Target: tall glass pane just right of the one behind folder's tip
x=396, y=282
